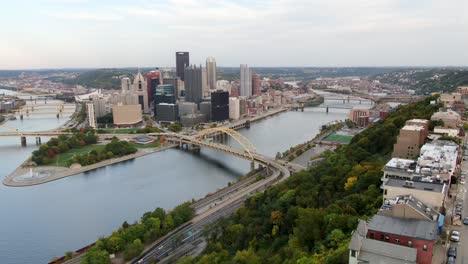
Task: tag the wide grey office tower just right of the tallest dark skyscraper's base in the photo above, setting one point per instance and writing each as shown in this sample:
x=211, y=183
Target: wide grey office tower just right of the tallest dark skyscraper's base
x=193, y=84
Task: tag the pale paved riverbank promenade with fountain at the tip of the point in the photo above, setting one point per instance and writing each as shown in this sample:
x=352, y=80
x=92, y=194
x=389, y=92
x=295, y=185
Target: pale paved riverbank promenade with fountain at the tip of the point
x=27, y=176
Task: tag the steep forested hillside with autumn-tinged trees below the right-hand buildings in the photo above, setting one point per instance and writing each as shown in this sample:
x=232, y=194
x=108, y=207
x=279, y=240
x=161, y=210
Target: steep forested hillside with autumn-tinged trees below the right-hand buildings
x=309, y=217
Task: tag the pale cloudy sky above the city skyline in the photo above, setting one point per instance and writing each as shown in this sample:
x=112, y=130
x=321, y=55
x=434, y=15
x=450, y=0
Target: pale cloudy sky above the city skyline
x=147, y=33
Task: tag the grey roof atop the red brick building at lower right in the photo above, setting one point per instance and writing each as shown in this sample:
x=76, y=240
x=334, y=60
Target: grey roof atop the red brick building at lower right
x=420, y=229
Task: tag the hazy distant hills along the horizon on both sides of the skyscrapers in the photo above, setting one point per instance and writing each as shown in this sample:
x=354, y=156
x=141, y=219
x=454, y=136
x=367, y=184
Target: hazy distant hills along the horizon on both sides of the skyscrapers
x=422, y=80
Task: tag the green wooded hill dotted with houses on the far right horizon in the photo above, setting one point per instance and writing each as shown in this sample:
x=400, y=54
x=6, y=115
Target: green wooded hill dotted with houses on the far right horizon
x=426, y=81
